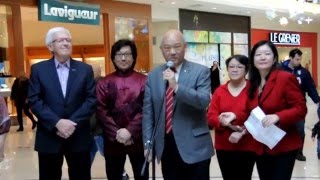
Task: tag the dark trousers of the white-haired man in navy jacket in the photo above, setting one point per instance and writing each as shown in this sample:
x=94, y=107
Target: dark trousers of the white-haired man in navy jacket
x=78, y=165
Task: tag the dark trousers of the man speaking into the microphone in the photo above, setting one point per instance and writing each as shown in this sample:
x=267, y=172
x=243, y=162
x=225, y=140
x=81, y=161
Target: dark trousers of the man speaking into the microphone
x=174, y=168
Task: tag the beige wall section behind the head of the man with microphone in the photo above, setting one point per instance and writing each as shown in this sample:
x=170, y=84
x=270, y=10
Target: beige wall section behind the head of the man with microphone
x=159, y=28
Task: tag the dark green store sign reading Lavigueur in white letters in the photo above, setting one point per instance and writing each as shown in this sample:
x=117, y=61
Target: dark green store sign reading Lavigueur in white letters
x=68, y=12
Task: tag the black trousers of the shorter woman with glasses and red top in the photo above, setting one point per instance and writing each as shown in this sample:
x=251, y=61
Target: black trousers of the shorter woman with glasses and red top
x=236, y=164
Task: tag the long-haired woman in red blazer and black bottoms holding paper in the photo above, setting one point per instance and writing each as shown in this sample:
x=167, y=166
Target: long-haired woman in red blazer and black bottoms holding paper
x=279, y=96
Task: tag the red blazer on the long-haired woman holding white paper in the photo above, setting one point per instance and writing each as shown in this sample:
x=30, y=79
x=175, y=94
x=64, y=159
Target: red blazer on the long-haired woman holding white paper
x=282, y=96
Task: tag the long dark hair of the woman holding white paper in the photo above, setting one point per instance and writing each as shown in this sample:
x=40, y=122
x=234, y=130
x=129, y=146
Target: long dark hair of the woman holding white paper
x=254, y=75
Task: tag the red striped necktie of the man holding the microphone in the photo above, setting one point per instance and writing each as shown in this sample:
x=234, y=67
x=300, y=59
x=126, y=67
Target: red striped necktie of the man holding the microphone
x=169, y=109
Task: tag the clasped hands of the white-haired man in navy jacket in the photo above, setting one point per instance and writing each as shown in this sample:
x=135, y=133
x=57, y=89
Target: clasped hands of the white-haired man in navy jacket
x=65, y=128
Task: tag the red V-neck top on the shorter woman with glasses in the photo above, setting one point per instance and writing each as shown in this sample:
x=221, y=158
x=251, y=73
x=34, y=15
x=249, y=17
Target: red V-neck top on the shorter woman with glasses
x=224, y=101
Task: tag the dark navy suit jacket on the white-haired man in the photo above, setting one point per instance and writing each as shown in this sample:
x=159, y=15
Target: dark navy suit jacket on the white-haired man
x=48, y=104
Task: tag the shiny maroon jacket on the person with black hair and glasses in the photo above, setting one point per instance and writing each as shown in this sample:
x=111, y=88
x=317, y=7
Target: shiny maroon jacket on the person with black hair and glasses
x=119, y=105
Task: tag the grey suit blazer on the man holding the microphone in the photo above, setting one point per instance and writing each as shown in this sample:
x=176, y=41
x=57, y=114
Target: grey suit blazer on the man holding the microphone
x=189, y=122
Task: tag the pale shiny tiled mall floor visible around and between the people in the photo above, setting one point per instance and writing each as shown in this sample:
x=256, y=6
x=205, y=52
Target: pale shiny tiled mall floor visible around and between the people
x=21, y=161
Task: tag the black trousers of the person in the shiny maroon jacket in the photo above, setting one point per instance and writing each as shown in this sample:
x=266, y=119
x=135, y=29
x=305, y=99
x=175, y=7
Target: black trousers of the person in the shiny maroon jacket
x=115, y=165
